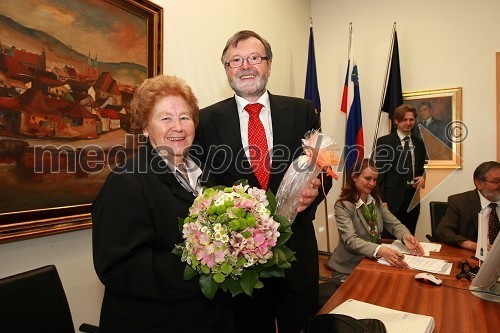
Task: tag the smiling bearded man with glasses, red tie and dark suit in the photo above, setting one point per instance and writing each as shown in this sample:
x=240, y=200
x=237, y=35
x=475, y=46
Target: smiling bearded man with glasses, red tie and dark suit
x=223, y=142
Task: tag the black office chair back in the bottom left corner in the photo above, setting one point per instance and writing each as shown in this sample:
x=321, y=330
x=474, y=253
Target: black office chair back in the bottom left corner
x=35, y=301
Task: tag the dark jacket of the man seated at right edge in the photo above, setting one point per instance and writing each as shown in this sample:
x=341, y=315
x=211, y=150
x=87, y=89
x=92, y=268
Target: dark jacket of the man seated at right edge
x=460, y=222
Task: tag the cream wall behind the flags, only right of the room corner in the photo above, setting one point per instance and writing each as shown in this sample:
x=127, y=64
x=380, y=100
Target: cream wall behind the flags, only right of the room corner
x=442, y=44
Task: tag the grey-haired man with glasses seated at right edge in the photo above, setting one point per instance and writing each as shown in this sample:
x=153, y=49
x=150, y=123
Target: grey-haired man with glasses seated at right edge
x=459, y=226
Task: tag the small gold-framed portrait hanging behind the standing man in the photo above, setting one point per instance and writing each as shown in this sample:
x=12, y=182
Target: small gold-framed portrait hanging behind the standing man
x=439, y=124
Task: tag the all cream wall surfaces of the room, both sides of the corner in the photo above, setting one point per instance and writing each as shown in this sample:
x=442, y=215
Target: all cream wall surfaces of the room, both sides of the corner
x=442, y=44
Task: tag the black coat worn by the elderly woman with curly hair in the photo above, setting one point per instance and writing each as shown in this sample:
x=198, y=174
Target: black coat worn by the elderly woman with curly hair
x=134, y=231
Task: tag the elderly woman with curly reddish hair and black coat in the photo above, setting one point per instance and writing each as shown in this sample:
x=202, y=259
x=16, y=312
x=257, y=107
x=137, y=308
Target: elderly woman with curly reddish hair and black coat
x=135, y=223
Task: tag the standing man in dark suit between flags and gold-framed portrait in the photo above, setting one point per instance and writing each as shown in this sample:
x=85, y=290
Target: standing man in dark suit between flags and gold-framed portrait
x=401, y=170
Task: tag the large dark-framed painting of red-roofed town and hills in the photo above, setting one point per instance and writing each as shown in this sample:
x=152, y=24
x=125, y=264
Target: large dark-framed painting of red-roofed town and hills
x=68, y=71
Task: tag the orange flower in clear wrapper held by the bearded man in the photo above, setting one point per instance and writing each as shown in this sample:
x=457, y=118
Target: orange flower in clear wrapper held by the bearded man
x=319, y=155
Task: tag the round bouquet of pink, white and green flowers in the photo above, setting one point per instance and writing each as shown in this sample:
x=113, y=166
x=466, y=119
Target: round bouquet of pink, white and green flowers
x=232, y=238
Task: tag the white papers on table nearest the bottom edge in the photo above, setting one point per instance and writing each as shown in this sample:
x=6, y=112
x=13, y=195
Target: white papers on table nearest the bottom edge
x=395, y=321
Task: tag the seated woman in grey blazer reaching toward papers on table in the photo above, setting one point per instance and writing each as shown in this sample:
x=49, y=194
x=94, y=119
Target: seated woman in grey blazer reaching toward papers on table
x=361, y=217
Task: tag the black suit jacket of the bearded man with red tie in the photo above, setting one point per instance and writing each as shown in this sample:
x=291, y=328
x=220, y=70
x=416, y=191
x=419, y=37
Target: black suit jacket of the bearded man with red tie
x=218, y=145
